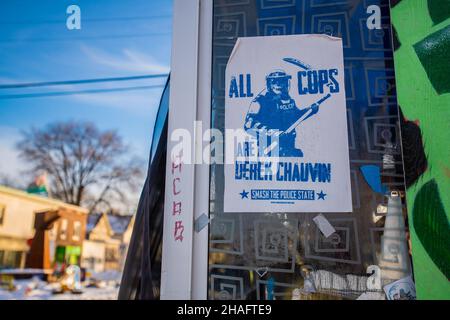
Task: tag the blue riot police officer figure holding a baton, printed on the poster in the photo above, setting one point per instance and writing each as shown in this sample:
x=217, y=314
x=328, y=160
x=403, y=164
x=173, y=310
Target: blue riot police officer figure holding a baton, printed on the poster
x=273, y=113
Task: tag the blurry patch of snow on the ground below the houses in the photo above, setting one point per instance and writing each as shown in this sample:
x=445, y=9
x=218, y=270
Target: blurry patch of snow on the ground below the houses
x=35, y=289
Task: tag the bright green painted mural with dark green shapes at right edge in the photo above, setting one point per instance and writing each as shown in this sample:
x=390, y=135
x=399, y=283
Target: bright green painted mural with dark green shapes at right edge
x=422, y=53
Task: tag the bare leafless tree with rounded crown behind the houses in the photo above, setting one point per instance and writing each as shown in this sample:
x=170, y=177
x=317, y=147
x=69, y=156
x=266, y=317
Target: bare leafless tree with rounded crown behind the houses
x=85, y=166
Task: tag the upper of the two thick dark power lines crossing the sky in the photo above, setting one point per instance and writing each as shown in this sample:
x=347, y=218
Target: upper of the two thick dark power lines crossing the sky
x=83, y=81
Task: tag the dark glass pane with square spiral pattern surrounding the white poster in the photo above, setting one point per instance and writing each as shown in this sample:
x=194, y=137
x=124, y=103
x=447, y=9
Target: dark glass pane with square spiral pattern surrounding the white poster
x=278, y=255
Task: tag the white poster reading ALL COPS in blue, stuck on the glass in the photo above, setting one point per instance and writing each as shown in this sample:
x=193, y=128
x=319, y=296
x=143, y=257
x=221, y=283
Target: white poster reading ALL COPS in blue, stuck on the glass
x=286, y=126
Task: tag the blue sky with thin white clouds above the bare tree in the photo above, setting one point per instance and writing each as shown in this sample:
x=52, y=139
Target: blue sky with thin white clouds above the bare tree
x=118, y=38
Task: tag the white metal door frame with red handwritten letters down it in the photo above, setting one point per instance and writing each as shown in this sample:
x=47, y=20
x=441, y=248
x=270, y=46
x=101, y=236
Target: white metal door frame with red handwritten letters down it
x=184, y=272
